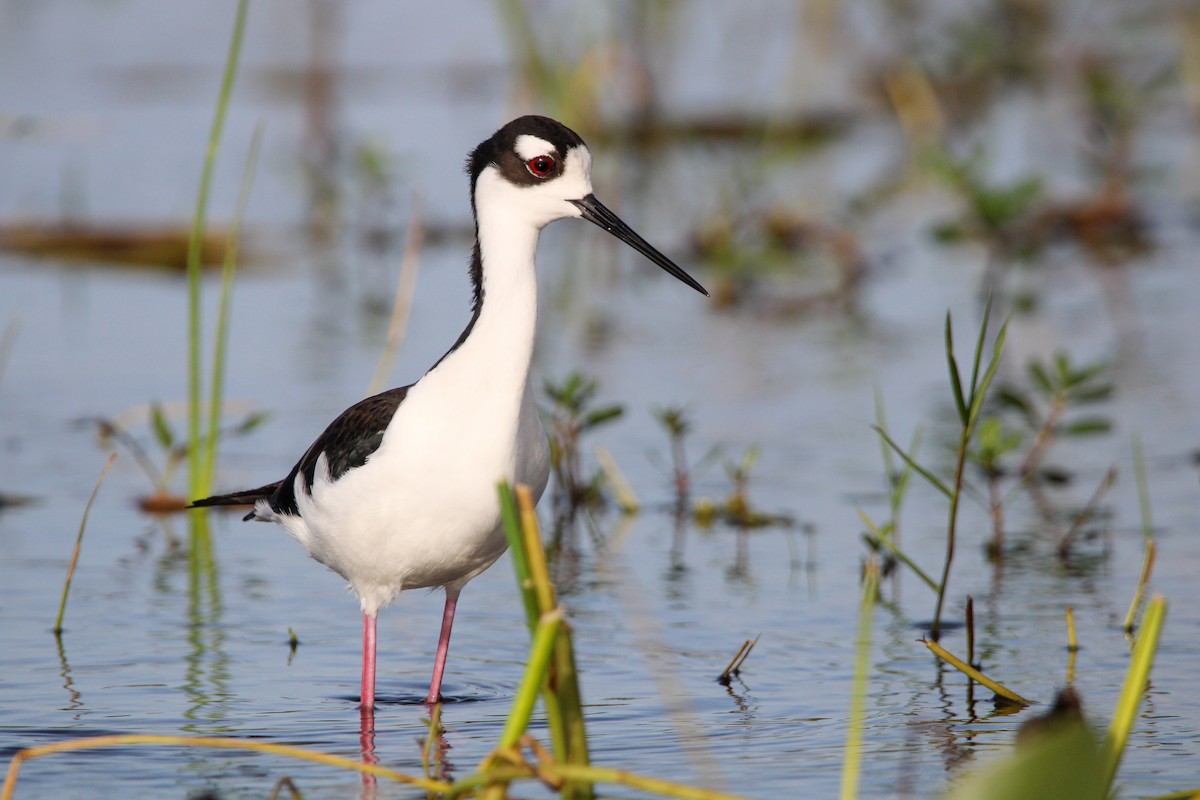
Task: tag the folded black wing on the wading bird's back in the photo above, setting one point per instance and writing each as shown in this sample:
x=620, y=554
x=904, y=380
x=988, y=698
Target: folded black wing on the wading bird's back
x=347, y=443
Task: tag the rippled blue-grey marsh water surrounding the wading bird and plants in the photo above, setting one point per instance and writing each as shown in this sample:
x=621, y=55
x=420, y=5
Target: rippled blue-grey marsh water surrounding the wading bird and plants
x=106, y=109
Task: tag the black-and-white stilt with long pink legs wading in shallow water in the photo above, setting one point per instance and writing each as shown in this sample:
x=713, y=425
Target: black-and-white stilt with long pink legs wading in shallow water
x=400, y=491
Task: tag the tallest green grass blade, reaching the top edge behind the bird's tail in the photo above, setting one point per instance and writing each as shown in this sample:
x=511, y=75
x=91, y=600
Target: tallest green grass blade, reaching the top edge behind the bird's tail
x=196, y=479
